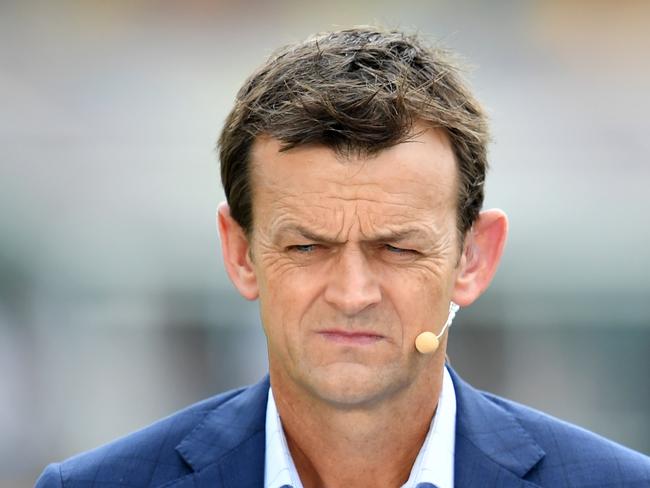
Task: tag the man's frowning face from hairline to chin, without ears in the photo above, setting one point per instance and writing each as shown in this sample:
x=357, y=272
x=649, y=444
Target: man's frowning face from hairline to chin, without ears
x=353, y=259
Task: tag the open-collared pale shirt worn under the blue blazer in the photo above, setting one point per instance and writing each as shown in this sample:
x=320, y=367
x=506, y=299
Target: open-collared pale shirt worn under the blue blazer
x=434, y=465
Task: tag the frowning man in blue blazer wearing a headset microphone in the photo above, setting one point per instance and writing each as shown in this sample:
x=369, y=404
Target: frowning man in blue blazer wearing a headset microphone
x=353, y=165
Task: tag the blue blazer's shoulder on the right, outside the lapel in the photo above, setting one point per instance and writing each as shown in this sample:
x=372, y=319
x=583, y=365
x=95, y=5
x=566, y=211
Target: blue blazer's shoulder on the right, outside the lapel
x=575, y=456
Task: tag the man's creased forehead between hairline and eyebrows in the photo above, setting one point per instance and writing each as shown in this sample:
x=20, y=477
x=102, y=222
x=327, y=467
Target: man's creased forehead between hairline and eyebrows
x=410, y=183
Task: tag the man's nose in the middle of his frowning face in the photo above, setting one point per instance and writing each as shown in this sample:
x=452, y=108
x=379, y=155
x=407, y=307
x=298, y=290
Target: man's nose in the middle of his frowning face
x=352, y=285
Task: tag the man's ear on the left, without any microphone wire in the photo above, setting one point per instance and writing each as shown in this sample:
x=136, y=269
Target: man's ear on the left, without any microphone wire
x=236, y=254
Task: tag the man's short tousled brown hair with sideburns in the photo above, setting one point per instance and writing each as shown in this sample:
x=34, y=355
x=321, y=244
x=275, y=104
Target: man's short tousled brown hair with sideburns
x=358, y=90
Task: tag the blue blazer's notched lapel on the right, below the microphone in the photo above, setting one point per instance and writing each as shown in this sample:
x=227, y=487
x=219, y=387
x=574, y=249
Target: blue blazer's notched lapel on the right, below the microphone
x=492, y=448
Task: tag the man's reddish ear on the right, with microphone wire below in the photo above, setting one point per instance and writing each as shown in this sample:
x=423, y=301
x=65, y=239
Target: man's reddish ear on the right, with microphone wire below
x=482, y=251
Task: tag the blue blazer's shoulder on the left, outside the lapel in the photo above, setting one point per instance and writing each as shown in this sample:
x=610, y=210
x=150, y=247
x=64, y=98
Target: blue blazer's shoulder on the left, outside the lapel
x=146, y=457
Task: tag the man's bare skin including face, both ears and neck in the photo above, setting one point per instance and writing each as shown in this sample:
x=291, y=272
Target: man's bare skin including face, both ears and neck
x=351, y=259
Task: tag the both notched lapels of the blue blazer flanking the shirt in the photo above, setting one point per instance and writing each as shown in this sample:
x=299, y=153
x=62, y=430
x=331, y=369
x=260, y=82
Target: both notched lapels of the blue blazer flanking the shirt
x=492, y=448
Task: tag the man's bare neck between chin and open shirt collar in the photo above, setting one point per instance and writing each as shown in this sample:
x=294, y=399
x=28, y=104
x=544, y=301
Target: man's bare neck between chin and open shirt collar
x=369, y=446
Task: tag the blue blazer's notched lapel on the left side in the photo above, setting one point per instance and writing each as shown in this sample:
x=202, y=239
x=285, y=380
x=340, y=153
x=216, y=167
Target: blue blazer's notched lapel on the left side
x=227, y=448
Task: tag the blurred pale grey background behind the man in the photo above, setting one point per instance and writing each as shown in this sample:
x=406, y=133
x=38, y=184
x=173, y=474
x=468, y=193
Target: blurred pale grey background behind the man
x=115, y=309
